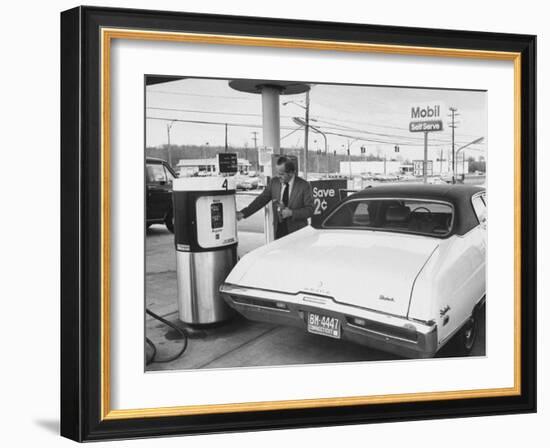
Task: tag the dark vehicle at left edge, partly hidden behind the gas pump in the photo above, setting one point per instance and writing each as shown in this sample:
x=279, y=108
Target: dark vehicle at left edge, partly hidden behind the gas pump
x=159, y=177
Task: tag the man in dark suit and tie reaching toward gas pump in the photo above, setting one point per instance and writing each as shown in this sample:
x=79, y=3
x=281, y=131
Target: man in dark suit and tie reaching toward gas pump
x=291, y=193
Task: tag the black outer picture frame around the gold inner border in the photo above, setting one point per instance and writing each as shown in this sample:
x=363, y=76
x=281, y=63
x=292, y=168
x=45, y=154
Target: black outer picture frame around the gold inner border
x=81, y=224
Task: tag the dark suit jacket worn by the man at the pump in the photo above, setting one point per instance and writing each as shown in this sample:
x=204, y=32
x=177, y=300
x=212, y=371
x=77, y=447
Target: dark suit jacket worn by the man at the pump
x=300, y=202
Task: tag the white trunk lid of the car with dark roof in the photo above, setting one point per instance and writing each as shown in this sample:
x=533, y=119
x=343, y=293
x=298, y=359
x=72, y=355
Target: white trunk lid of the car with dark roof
x=368, y=269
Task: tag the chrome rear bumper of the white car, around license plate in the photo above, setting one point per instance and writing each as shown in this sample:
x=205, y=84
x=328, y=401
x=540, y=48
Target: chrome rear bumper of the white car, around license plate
x=374, y=329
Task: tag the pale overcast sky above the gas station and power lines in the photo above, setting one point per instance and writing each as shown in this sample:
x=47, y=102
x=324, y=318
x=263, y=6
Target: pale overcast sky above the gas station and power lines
x=379, y=116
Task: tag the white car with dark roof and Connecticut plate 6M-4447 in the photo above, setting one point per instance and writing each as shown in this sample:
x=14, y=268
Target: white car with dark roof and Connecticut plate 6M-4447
x=400, y=268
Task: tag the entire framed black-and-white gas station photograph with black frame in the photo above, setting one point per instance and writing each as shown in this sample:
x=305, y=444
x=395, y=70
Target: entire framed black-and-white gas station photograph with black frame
x=277, y=224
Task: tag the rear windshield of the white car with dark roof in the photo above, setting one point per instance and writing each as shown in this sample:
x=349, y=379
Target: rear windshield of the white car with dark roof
x=394, y=215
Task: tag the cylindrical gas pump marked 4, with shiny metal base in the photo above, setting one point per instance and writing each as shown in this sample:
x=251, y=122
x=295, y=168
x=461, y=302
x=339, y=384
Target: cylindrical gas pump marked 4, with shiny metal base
x=206, y=245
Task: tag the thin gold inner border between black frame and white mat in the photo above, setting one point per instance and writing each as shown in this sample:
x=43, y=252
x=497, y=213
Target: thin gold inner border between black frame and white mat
x=107, y=35
